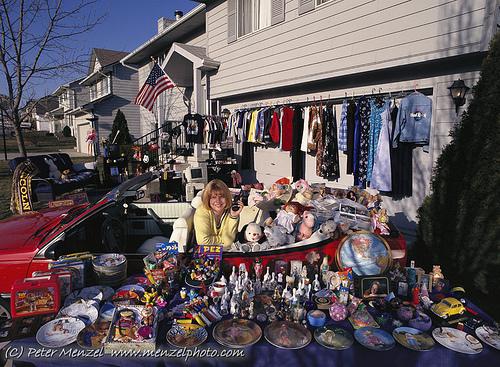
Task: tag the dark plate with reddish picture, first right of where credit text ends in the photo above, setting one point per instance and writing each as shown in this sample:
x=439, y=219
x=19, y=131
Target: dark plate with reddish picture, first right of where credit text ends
x=287, y=335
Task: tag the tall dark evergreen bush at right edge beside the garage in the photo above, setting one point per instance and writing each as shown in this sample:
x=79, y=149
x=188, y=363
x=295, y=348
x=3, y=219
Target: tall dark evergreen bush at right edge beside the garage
x=459, y=223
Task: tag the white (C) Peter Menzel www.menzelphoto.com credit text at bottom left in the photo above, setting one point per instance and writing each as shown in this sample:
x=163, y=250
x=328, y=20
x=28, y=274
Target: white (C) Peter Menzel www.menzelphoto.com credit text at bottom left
x=180, y=353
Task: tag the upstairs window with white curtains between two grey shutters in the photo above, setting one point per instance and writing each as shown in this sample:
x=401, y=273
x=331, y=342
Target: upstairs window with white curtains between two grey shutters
x=253, y=15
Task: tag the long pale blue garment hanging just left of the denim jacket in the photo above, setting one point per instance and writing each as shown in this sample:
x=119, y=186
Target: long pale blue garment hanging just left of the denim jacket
x=381, y=177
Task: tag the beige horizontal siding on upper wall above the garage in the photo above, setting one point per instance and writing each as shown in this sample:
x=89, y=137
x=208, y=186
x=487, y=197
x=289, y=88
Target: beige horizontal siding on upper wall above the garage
x=343, y=37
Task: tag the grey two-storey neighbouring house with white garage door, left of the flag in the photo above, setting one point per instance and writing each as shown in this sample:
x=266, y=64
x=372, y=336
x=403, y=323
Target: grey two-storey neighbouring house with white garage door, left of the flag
x=108, y=86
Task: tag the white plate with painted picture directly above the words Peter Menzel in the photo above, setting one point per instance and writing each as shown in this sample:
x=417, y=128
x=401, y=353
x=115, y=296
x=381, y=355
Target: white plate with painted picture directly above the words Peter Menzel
x=59, y=332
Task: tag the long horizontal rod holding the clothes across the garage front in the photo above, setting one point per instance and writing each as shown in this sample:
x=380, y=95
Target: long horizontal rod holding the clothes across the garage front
x=336, y=100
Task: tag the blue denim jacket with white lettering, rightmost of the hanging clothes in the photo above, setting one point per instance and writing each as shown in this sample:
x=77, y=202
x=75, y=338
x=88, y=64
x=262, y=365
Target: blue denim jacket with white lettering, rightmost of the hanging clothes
x=414, y=121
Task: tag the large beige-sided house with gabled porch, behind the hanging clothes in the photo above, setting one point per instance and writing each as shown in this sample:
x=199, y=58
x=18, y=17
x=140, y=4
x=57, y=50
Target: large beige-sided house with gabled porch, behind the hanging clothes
x=267, y=52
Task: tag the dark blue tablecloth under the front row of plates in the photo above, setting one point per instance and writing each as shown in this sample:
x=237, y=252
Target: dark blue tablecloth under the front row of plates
x=264, y=354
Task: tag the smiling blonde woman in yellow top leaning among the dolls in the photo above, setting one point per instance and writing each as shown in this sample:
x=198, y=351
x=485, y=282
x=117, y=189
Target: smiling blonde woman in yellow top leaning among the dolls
x=215, y=220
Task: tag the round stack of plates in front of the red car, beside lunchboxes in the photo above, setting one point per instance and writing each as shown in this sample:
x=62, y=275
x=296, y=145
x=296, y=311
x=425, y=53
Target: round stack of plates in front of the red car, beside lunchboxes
x=110, y=269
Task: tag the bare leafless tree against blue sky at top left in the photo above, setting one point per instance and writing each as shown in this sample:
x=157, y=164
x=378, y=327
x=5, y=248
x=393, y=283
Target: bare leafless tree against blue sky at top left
x=38, y=43
